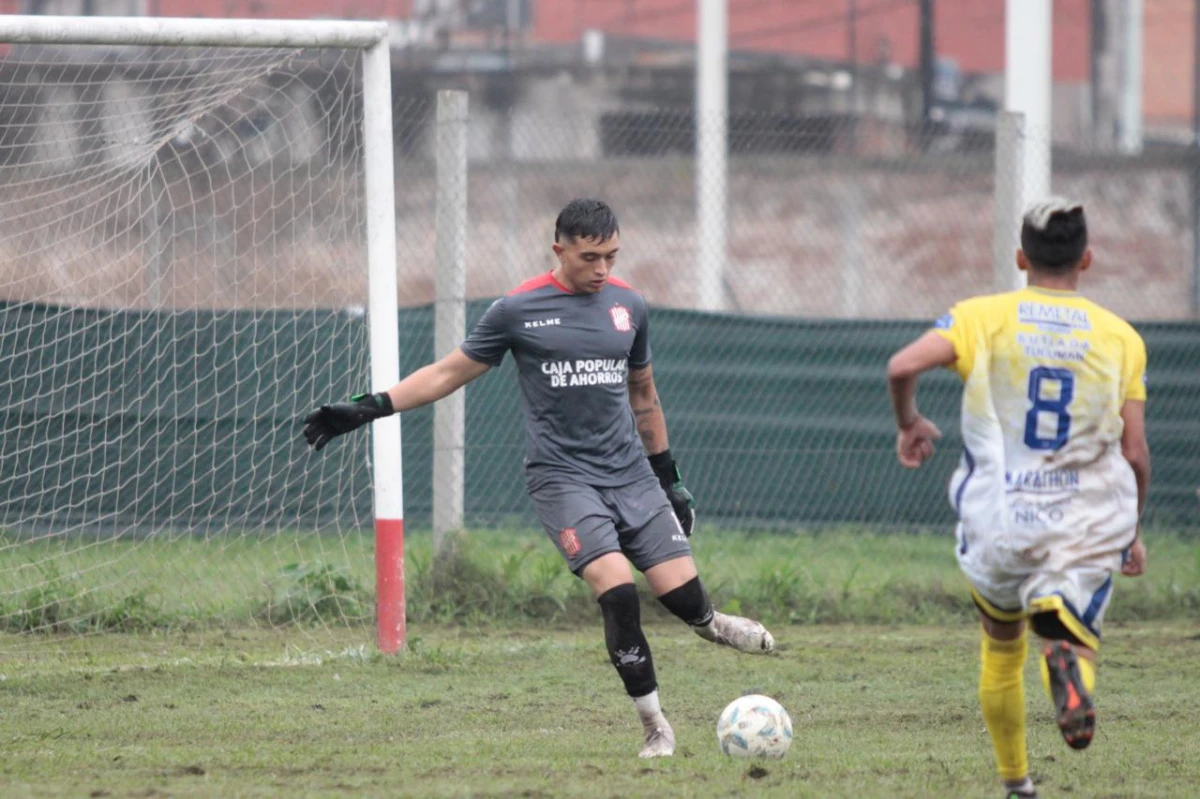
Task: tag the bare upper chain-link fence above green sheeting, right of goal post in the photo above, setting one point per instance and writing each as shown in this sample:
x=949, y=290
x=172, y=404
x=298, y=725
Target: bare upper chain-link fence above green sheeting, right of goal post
x=819, y=233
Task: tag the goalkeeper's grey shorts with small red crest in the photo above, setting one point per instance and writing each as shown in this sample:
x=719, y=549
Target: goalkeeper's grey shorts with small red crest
x=586, y=522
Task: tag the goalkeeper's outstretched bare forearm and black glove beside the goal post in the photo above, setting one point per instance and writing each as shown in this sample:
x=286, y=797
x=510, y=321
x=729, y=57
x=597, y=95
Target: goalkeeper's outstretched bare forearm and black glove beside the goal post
x=423, y=387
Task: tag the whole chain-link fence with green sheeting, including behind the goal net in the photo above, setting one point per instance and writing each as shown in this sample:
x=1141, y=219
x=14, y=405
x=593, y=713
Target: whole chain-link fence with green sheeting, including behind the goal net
x=845, y=236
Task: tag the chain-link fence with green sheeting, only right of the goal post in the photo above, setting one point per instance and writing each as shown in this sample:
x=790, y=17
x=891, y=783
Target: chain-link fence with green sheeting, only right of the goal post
x=844, y=242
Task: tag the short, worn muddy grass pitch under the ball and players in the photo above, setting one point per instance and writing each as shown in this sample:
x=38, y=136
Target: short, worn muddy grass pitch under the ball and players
x=879, y=712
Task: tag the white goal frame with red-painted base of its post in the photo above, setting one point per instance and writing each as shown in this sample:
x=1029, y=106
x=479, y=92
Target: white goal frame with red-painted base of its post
x=374, y=175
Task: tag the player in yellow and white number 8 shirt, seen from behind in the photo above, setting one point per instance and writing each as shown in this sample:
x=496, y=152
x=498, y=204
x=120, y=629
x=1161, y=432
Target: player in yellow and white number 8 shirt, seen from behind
x=1053, y=477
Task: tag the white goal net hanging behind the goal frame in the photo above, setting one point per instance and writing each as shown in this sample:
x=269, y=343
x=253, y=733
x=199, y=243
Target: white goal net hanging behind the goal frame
x=183, y=273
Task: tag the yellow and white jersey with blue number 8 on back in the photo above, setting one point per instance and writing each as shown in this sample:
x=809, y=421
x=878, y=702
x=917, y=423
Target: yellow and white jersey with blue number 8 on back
x=1046, y=376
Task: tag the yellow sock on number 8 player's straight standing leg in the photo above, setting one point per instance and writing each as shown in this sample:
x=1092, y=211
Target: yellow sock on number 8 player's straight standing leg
x=1003, y=699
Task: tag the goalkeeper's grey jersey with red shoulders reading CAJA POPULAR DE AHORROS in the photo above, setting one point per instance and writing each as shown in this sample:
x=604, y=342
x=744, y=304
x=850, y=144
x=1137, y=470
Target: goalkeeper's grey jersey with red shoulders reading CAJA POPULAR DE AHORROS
x=574, y=353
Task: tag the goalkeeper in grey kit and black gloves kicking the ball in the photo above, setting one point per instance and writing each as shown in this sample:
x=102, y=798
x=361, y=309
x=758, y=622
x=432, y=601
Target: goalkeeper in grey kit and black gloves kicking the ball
x=598, y=467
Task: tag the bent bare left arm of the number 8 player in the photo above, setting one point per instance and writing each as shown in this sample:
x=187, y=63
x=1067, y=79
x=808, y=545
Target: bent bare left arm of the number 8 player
x=915, y=434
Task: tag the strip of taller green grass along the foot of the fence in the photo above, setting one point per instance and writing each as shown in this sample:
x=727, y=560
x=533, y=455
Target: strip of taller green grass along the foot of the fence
x=507, y=578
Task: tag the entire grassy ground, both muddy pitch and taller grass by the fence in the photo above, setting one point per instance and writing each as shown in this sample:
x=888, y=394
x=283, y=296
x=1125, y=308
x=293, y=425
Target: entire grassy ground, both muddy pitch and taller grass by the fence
x=209, y=669
